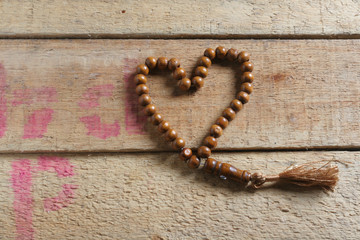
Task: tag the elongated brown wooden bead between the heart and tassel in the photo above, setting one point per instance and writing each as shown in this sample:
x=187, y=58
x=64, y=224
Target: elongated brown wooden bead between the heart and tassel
x=226, y=171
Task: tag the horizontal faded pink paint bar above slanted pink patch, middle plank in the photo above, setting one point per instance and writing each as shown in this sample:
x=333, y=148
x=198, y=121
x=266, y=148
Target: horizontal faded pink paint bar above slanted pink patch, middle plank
x=31, y=95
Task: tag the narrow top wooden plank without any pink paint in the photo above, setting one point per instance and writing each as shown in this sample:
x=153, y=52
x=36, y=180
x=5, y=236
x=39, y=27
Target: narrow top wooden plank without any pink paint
x=160, y=18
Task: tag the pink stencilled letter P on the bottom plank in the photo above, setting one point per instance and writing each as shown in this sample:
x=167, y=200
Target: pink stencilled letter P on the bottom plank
x=21, y=180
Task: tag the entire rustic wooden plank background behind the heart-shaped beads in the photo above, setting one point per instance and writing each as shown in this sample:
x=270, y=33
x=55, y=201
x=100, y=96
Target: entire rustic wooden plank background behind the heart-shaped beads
x=79, y=161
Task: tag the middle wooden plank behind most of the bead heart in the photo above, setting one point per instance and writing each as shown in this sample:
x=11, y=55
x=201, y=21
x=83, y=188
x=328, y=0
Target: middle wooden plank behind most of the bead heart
x=77, y=95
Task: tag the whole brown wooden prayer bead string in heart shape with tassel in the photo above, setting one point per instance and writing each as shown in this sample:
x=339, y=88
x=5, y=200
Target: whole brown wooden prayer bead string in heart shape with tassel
x=325, y=176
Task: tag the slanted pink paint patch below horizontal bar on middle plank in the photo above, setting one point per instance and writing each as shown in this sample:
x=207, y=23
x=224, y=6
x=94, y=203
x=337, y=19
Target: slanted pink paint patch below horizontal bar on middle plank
x=37, y=123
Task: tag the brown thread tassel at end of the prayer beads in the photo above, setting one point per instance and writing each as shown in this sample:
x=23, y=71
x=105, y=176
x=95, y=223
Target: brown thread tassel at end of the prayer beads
x=306, y=175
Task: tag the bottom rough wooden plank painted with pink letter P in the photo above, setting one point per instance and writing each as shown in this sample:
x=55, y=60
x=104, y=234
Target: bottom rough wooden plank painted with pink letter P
x=154, y=196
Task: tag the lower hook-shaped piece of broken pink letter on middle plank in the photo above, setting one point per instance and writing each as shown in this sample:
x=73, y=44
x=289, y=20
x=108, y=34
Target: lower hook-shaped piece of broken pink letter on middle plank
x=98, y=129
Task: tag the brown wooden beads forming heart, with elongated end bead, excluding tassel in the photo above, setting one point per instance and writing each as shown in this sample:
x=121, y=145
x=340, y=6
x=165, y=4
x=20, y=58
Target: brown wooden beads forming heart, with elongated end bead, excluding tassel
x=223, y=170
